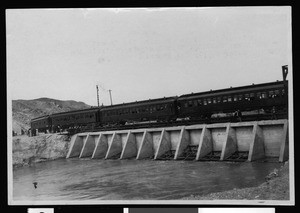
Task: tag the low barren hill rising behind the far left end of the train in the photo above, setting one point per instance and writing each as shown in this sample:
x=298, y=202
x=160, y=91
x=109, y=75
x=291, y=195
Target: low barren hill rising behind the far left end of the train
x=24, y=110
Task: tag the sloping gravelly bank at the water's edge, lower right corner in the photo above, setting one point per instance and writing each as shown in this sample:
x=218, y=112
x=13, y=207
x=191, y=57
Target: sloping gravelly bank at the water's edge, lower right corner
x=276, y=187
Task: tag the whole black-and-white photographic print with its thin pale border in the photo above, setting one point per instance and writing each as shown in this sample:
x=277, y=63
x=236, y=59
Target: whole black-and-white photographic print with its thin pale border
x=183, y=105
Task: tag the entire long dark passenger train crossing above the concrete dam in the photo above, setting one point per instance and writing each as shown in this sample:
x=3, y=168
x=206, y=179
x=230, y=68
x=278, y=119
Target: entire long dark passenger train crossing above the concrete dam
x=259, y=99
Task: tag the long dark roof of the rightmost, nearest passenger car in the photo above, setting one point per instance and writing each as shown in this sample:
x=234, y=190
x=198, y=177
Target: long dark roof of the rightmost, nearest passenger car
x=227, y=91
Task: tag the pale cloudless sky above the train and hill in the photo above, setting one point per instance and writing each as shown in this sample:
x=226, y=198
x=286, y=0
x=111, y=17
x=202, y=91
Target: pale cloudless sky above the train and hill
x=143, y=53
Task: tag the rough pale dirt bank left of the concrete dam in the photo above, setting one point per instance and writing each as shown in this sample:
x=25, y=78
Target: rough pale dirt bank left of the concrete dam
x=27, y=150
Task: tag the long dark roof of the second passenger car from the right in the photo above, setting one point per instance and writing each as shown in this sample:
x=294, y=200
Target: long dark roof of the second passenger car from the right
x=139, y=103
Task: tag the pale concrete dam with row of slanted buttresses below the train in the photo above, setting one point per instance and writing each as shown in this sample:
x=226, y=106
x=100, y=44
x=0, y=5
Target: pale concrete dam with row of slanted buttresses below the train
x=243, y=141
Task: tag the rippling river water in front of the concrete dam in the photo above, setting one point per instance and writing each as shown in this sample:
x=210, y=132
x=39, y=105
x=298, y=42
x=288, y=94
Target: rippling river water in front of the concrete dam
x=86, y=179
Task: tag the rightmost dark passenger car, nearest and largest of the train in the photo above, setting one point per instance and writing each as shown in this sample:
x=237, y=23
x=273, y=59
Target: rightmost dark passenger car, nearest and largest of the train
x=267, y=97
